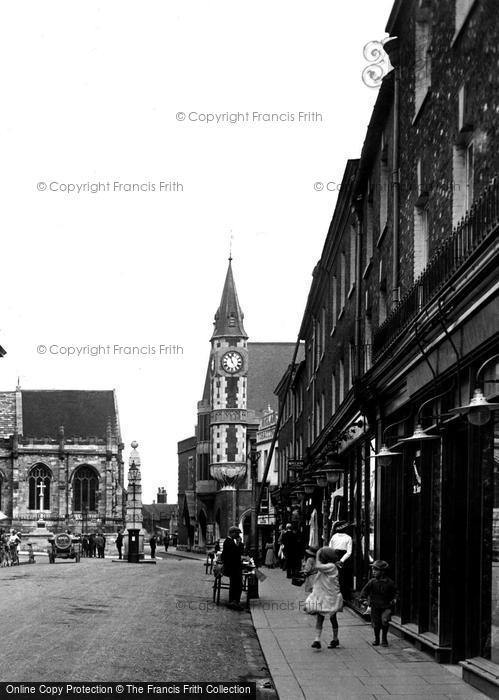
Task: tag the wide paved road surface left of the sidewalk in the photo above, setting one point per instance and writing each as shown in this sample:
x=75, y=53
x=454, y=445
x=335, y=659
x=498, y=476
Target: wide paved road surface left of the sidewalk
x=101, y=620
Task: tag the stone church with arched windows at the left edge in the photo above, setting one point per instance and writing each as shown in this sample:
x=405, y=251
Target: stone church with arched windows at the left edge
x=61, y=460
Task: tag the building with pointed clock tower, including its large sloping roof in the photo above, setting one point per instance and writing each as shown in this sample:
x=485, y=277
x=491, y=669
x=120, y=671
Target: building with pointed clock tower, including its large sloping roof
x=214, y=469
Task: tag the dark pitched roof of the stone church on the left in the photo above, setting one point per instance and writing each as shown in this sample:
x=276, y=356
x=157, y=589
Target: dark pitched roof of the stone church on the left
x=82, y=413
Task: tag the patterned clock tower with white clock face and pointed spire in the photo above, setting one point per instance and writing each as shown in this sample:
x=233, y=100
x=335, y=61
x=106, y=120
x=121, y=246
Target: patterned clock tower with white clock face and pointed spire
x=228, y=391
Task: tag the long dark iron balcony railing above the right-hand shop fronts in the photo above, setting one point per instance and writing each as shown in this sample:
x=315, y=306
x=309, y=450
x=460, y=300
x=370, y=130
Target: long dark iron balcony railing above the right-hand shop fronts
x=481, y=219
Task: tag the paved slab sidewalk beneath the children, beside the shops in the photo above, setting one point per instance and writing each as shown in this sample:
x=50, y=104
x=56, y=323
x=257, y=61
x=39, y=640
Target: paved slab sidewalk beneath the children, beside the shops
x=355, y=669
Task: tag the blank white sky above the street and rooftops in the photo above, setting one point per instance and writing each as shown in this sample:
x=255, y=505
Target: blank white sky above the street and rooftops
x=137, y=145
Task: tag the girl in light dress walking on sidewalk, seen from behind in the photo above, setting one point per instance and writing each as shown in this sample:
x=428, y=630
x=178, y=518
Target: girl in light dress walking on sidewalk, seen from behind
x=326, y=599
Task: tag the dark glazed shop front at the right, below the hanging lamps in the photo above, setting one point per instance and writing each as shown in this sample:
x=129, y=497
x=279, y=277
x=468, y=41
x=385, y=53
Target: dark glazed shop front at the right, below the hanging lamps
x=438, y=504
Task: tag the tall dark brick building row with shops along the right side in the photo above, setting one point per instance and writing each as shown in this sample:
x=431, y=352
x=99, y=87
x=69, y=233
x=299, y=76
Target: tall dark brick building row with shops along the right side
x=400, y=327
